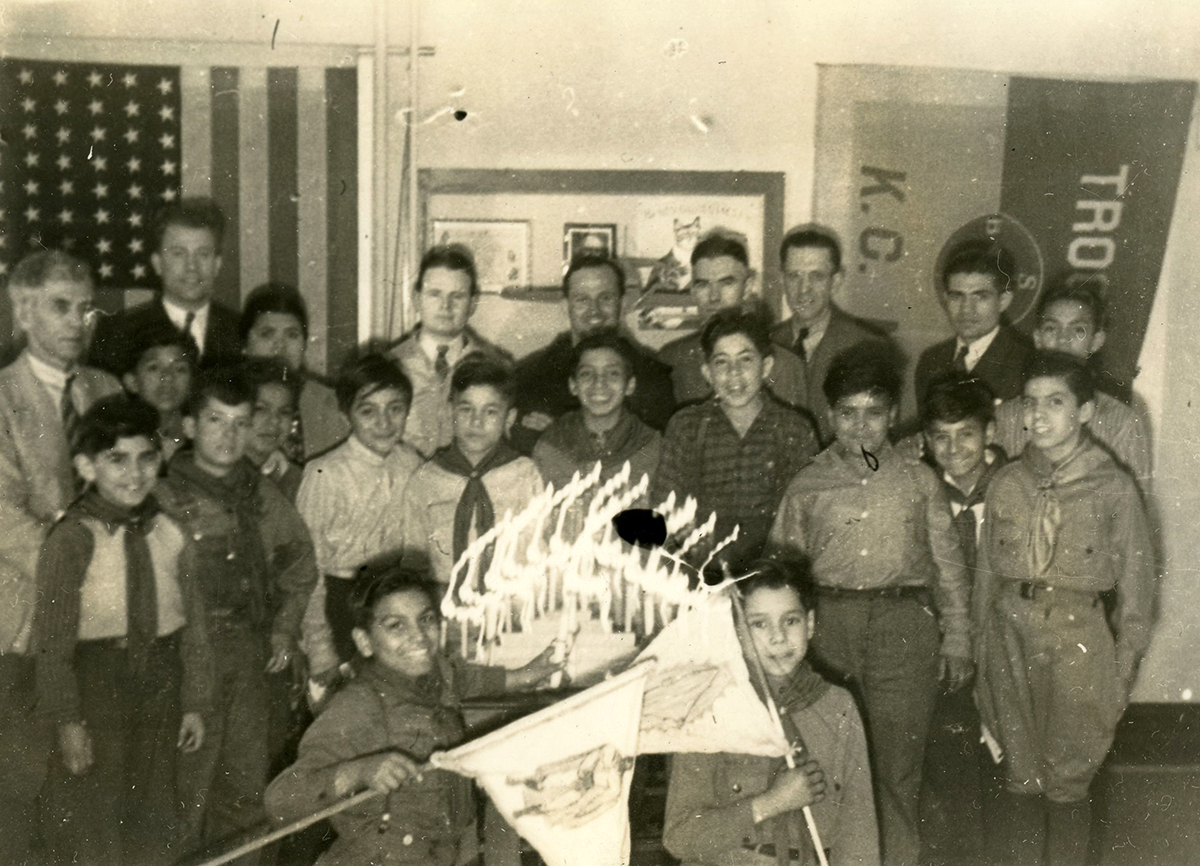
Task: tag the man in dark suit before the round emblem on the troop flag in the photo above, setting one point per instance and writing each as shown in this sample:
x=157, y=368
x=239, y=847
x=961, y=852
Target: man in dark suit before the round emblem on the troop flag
x=975, y=292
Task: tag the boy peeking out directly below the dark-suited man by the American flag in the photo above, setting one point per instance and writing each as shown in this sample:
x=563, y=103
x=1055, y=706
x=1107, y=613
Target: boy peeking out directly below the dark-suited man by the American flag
x=161, y=364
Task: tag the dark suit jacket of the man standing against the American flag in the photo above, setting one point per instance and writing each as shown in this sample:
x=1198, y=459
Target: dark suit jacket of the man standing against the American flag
x=113, y=341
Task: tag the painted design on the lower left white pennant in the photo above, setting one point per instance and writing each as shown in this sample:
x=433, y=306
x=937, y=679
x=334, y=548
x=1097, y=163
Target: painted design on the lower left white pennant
x=574, y=791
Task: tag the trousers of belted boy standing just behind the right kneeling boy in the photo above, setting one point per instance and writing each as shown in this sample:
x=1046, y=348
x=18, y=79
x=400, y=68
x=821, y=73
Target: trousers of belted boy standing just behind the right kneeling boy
x=887, y=651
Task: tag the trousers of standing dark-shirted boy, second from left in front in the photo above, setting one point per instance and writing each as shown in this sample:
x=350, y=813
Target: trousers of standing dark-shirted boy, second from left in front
x=223, y=784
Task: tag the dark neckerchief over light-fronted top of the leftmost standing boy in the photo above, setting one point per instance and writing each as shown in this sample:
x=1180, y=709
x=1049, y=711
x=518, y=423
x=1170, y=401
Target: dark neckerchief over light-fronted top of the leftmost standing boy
x=141, y=591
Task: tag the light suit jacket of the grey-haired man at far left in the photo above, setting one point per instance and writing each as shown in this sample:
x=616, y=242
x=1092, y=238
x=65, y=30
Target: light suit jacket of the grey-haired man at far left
x=37, y=484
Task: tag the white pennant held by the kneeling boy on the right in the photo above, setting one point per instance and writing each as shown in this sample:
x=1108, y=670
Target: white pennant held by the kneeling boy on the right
x=699, y=697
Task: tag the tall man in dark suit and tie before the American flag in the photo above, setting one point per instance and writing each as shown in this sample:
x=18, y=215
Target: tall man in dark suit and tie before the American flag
x=188, y=260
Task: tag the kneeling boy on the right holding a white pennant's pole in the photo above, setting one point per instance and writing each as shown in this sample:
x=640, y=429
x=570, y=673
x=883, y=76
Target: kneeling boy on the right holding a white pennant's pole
x=743, y=809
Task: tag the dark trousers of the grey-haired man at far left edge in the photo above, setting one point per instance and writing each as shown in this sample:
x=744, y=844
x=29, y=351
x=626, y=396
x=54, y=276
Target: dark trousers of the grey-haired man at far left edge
x=25, y=759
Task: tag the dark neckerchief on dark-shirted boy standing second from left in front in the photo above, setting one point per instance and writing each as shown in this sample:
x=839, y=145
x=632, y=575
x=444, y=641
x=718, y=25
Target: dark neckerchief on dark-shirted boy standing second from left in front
x=238, y=492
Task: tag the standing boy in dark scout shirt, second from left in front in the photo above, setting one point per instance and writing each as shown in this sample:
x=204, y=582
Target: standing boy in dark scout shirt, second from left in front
x=256, y=570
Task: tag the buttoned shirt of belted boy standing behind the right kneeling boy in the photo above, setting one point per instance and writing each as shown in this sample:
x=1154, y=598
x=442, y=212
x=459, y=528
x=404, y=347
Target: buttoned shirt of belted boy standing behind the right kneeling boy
x=875, y=530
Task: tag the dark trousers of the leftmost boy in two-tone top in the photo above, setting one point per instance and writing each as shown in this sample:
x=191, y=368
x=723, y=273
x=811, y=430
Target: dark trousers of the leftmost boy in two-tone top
x=124, y=809
